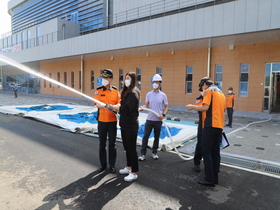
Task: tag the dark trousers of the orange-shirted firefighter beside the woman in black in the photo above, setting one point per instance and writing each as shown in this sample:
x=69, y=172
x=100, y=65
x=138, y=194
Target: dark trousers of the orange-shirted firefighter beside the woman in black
x=107, y=129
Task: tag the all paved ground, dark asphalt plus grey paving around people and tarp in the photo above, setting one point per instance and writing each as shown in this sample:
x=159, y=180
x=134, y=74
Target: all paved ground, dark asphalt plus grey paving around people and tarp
x=68, y=177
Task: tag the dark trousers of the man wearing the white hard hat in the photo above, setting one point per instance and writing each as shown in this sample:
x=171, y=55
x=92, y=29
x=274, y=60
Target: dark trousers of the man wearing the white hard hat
x=149, y=126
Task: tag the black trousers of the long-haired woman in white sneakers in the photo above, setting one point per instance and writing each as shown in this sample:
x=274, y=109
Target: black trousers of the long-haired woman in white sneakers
x=129, y=139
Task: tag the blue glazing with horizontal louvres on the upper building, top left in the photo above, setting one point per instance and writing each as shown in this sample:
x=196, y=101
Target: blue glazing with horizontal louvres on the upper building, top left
x=89, y=12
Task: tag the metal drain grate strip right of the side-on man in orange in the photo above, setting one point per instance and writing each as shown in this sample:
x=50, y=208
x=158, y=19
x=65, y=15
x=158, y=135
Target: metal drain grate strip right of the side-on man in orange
x=251, y=164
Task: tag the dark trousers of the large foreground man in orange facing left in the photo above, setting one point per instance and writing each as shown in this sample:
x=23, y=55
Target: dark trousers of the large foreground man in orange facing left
x=210, y=142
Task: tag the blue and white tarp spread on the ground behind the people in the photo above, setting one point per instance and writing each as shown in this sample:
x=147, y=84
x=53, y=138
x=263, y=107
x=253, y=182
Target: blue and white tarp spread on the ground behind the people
x=83, y=119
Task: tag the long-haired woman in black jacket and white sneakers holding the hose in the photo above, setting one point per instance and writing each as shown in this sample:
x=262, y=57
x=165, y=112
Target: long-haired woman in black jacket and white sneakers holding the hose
x=129, y=124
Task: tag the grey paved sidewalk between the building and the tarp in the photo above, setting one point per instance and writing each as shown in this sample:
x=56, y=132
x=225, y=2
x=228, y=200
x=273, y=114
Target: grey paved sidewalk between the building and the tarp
x=259, y=142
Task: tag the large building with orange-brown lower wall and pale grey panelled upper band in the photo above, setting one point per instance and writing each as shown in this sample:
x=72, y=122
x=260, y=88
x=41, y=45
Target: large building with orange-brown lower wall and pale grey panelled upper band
x=235, y=42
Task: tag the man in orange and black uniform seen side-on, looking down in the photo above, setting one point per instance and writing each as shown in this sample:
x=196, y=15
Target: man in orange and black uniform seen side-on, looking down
x=212, y=108
